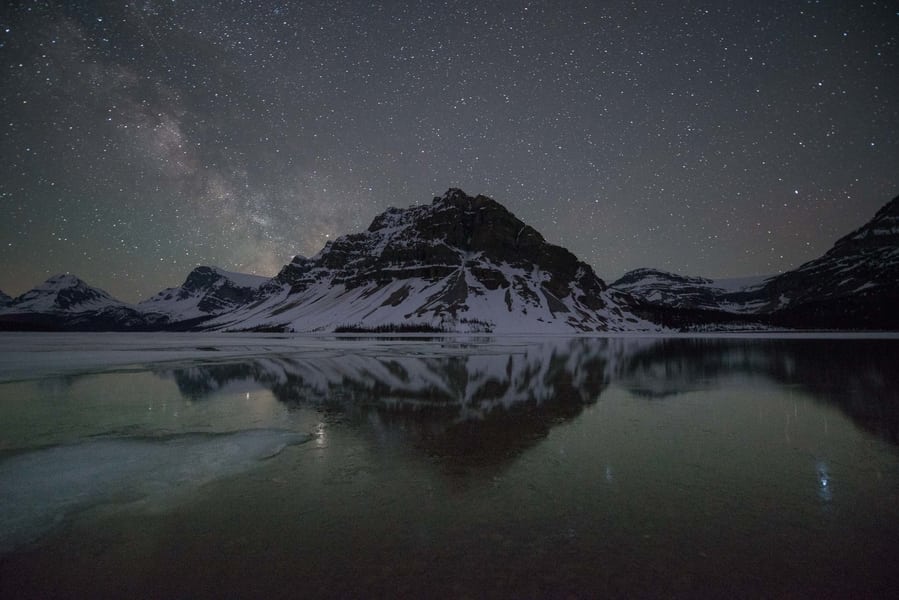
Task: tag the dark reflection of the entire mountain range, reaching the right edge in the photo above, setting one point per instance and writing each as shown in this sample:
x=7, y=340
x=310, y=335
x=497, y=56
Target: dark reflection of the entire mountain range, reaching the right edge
x=490, y=402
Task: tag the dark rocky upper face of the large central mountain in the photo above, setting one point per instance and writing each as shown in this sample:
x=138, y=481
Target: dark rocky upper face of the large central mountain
x=433, y=242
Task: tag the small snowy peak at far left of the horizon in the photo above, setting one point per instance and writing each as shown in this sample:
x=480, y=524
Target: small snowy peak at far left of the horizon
x=66, y=302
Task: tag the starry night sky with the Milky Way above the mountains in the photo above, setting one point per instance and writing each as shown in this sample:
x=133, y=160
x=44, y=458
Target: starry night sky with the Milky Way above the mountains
x=724, y=139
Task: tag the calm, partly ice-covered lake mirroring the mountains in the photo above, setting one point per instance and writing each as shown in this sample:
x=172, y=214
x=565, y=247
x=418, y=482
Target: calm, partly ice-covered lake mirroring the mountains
x=454, y=467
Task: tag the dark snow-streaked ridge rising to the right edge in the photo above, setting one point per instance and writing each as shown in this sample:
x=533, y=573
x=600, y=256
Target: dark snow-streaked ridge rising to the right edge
x=855, y=285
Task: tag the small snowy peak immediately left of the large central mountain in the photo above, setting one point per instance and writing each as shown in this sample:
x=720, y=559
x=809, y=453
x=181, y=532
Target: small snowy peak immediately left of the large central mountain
x=206, y=292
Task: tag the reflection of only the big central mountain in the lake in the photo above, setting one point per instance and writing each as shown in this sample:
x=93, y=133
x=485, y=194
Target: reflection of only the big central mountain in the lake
x=475, y=404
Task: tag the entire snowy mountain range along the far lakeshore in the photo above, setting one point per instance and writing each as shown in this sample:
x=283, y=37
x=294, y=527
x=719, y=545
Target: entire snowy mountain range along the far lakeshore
x=466, y=264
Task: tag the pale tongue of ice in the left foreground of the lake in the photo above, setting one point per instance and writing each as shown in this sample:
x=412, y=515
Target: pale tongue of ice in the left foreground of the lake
x=41, y=488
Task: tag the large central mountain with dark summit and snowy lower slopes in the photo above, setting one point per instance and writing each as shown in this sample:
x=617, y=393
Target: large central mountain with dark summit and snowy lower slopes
x=461, y=263
